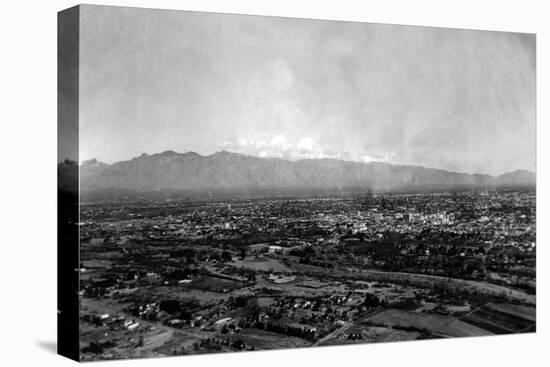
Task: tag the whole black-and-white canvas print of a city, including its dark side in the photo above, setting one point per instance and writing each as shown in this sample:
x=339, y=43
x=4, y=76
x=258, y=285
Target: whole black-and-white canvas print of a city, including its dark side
x=234, y=183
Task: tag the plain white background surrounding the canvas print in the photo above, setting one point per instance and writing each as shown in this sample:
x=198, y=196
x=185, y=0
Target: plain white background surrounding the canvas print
x=28, y=303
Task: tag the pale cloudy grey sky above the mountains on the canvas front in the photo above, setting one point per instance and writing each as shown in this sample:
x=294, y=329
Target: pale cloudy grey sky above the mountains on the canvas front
x=154, y=80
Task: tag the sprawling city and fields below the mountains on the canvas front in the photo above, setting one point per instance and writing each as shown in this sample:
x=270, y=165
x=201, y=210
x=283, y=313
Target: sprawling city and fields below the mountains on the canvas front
x=173, y=277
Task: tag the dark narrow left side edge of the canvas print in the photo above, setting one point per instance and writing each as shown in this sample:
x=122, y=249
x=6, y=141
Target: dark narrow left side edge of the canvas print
x=68, y=184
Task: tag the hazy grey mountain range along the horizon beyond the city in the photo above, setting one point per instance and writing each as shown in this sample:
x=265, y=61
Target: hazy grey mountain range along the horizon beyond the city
x=232, y=172
